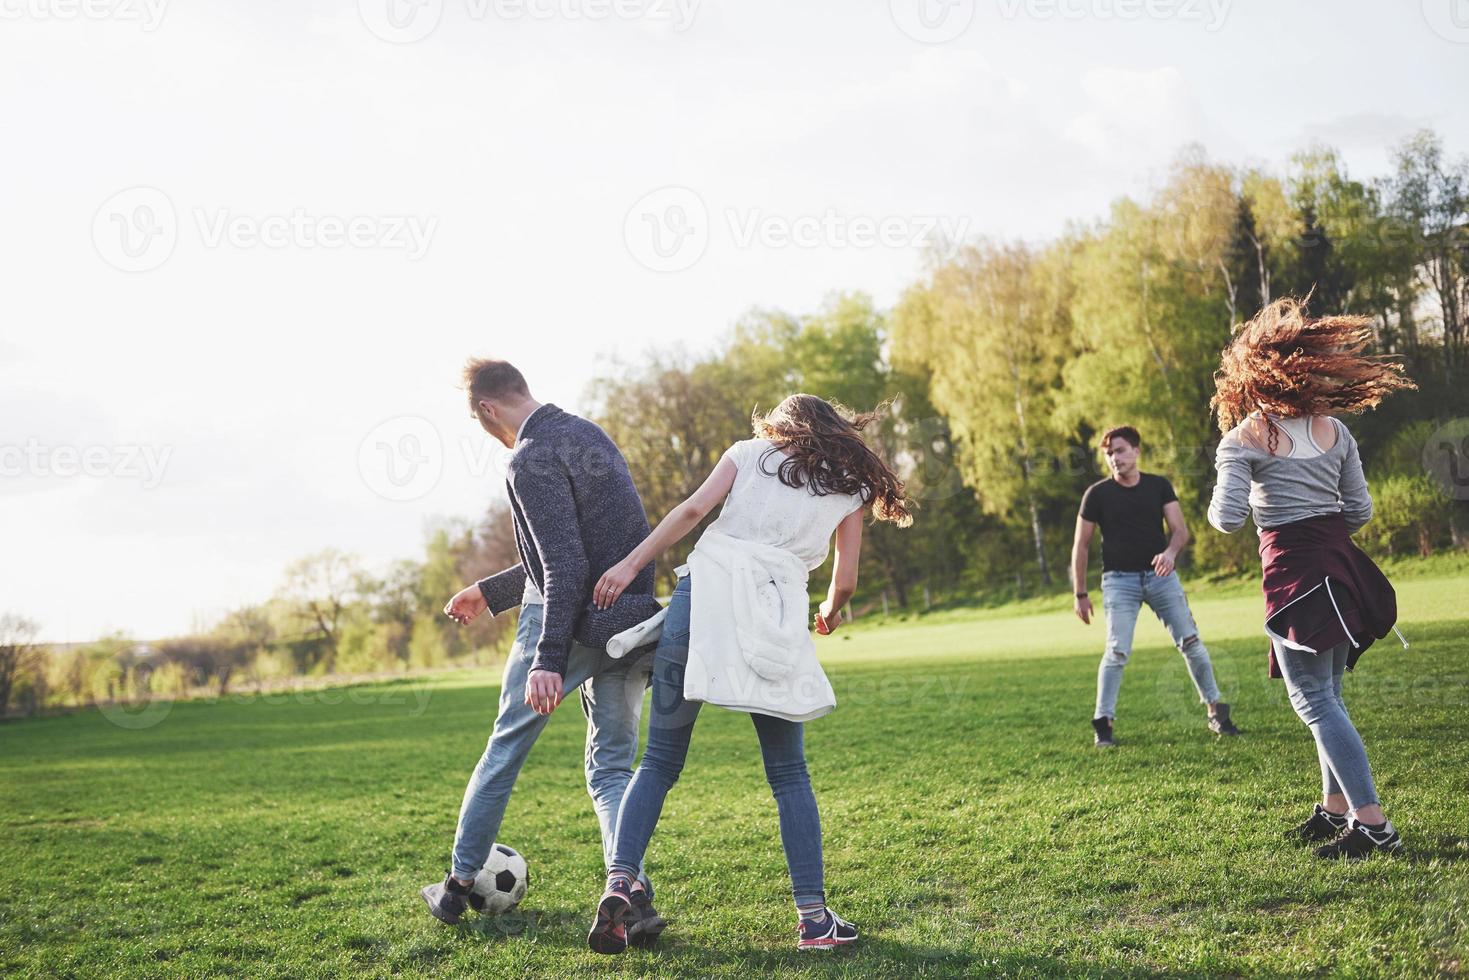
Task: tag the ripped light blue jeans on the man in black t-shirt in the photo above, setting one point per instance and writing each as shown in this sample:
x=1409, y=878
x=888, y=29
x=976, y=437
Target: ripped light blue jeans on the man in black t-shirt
x=1123, y=596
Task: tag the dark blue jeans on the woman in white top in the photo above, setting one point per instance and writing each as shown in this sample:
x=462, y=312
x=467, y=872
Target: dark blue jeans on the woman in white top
x=669, y=731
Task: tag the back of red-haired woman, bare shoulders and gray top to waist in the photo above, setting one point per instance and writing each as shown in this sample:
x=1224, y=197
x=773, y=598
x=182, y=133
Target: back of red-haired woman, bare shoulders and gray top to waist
x=1314, y=471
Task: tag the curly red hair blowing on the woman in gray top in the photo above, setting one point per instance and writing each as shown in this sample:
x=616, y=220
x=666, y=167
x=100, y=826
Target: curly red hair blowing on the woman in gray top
x=1289, y=364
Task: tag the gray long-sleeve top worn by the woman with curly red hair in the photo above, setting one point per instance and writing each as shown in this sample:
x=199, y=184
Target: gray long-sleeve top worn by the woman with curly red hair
x=1283, y=490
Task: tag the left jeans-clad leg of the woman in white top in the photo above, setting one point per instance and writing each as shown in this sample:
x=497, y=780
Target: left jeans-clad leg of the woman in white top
x=671, y=727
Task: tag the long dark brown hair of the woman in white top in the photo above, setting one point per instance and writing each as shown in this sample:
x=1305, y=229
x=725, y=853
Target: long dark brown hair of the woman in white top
x=825, y=450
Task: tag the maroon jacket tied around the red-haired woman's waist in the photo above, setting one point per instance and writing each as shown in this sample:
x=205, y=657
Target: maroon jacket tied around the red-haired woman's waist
x=1321, y=590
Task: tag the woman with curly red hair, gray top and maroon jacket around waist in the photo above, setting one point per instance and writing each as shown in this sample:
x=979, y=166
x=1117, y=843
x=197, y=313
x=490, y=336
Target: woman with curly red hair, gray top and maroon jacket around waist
x=1295, y=465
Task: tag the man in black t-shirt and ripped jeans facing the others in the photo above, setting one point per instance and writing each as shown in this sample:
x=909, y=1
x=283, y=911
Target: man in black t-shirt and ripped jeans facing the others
x=1138, y=568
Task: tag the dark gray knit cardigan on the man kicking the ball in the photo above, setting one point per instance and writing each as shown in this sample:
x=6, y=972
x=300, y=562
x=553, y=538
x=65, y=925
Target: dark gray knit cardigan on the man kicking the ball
x=577, y=515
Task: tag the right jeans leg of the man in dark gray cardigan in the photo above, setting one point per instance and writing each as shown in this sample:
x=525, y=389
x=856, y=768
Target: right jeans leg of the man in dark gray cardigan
x=613, y=705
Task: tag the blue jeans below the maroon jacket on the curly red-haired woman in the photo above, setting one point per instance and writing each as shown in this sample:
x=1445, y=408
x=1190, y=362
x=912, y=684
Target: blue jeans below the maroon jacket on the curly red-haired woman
x=1314, y=682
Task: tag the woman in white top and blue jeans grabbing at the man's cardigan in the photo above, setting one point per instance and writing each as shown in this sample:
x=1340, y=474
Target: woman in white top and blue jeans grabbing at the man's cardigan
x=806, y=477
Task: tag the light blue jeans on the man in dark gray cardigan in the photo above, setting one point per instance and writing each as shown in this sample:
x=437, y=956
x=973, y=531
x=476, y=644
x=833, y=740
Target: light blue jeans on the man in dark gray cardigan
x=613, y=706
